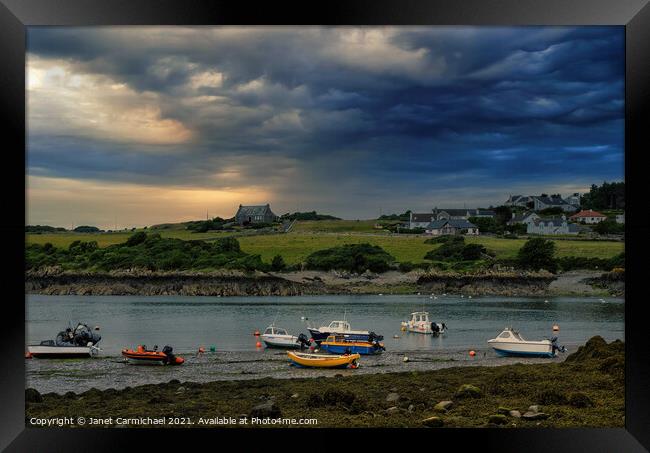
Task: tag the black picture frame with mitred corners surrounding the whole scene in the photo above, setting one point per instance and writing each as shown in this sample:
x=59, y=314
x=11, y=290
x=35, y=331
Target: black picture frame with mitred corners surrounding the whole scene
x=16, y=15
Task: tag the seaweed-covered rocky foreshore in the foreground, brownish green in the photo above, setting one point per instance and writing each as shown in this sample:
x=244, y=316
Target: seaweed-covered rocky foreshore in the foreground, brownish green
x=585, y=390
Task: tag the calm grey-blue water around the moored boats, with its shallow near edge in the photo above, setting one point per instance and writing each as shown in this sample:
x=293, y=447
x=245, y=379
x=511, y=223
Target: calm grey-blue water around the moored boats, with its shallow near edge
x=228, y=323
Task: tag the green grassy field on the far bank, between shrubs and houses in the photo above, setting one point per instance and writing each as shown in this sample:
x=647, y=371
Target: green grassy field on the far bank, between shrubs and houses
x=308, y=237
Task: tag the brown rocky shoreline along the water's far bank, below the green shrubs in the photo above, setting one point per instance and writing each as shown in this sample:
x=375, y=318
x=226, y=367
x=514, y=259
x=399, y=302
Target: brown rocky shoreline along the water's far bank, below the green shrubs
x=234, y=283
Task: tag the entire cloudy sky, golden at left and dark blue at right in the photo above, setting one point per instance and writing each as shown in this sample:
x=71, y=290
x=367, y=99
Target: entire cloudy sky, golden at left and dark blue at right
x=132, y=126
